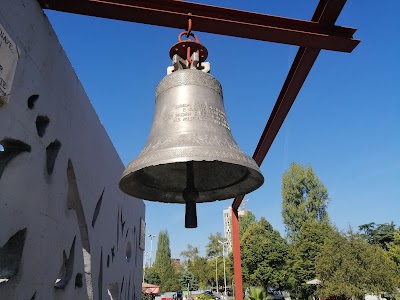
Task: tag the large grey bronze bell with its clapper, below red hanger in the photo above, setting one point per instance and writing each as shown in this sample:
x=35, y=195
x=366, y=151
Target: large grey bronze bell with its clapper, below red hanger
x=190, y=156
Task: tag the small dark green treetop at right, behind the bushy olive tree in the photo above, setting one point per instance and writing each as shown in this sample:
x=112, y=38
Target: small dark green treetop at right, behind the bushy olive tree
x=378, y=234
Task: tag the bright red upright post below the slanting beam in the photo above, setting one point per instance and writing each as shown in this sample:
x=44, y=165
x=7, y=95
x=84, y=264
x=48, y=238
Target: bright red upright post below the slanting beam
x=237, y=267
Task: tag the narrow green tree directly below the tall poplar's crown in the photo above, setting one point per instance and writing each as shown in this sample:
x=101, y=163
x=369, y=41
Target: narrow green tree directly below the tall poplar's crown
x=303, y=253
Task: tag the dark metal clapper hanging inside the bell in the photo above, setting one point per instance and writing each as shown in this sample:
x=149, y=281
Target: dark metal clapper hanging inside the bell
x=190, y=194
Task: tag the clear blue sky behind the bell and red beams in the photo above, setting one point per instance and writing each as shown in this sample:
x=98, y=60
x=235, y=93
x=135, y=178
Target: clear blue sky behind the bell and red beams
x=345, y=121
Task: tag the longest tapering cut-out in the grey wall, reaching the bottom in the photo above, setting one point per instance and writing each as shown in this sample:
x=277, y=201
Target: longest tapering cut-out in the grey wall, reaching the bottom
x=74, y=202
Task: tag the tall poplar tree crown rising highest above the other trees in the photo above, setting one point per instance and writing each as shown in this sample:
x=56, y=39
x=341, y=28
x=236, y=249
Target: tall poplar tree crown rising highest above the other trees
x=304, y=198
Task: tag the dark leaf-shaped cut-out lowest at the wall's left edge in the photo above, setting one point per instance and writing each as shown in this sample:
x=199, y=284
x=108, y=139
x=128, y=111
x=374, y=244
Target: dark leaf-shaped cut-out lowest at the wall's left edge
x=11, y=255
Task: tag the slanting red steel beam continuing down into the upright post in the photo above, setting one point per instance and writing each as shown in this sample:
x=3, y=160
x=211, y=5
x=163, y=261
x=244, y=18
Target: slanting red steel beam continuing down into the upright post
x=326, y=13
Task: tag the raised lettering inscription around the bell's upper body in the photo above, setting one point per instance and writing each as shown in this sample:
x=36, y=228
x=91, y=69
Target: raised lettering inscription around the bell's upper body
x=197, y=112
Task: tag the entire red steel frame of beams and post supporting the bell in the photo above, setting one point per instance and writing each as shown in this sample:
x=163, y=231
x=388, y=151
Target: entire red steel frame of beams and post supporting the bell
x=312, y=36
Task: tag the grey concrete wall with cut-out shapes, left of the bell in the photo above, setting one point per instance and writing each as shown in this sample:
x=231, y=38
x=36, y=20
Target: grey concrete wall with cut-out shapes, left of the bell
x=66, y=230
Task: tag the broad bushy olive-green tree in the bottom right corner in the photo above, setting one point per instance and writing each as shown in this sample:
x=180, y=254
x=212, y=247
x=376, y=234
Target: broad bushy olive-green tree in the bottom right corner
x=350, y=267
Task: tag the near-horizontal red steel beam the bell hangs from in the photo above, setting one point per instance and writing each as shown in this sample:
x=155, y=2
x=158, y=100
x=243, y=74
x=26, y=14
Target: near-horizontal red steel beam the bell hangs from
x=212, y=19
